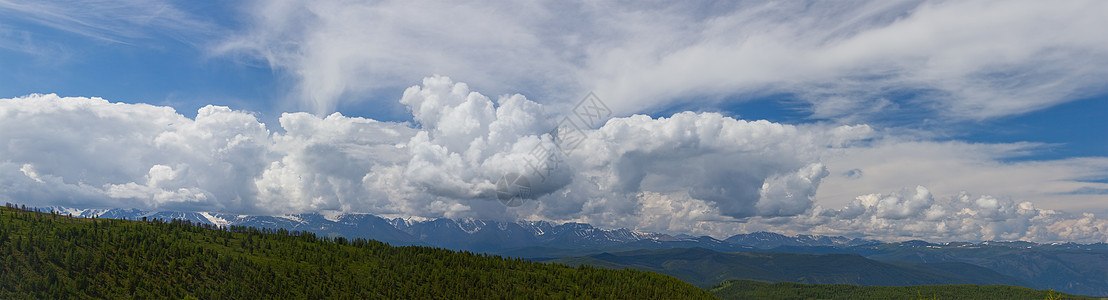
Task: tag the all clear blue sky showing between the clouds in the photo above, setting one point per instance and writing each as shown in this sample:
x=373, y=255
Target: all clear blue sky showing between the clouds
x=166, y=68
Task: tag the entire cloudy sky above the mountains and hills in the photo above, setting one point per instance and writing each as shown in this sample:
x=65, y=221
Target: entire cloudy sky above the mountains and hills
x=890, y=120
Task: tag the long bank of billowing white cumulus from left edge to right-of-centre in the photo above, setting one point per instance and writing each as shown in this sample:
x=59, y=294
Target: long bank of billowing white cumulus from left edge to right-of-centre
x=446, y=164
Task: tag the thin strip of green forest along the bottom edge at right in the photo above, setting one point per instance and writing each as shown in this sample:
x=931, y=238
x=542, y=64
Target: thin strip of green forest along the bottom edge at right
x=752, y=289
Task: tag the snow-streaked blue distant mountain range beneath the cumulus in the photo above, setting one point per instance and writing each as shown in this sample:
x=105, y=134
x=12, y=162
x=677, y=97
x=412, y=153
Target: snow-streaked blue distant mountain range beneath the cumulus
x=504, y=237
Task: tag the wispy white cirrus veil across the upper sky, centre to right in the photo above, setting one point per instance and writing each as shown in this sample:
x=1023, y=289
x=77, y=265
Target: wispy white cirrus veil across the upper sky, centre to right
x=864, y=60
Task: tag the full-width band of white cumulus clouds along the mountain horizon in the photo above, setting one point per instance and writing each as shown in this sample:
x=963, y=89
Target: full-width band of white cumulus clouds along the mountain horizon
x=695, y=173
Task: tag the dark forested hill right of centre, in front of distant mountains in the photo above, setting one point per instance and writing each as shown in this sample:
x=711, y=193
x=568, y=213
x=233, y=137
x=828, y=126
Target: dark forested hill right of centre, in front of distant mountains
x=705, y=267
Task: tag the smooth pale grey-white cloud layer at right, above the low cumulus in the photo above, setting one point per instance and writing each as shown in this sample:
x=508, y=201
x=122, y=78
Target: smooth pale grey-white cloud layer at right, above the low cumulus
x=951, y=168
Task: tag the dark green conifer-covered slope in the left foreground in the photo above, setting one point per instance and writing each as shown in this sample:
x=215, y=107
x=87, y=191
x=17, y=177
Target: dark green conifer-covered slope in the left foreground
x=50, y=255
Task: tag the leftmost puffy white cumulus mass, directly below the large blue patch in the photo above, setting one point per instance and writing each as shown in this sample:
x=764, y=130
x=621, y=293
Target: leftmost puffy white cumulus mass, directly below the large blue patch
x=117, y=154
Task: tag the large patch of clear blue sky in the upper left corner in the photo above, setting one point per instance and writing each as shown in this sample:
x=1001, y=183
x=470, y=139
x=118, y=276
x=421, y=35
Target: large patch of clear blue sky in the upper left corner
x=150, y=66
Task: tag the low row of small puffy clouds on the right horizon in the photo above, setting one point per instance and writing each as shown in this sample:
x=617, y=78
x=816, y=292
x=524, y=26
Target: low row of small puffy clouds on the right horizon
x=917, y=214
